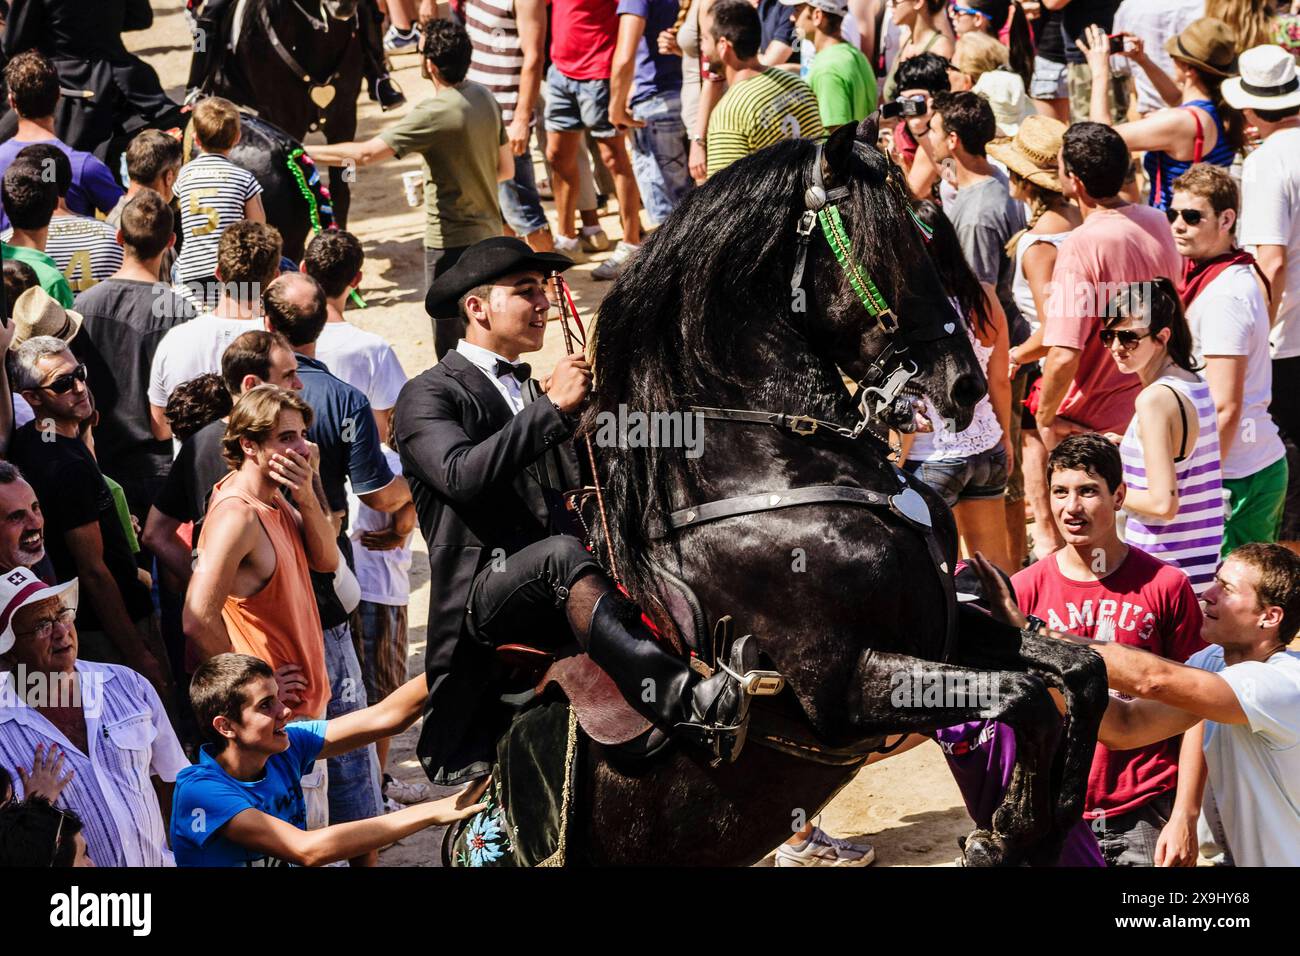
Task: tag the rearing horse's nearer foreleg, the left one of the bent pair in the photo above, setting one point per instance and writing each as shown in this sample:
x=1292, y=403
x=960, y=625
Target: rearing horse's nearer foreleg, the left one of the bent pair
x=907, y=695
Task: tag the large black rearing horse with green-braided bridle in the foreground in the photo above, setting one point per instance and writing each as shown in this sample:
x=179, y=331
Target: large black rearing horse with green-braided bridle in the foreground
x=846, y=591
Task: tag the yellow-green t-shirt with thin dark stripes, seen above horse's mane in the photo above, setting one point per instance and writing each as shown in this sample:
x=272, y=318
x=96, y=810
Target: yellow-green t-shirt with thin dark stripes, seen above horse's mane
x=764, y=110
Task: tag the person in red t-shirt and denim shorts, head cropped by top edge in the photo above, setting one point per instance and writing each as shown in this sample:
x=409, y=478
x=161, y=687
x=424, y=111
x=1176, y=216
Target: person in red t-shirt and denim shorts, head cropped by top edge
x=578, y=100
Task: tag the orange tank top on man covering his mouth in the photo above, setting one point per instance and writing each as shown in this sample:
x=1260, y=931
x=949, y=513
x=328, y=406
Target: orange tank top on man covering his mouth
x=280, y=624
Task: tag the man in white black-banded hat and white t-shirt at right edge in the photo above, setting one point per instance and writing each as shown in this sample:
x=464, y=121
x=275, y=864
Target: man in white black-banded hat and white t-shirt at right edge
x=1268, y=92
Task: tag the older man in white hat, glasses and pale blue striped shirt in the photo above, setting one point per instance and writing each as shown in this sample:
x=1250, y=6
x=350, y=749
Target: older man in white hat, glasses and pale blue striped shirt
x=107, y=720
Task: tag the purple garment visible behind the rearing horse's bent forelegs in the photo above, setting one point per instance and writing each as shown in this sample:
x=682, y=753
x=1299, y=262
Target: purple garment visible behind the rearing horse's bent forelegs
x=982, y=755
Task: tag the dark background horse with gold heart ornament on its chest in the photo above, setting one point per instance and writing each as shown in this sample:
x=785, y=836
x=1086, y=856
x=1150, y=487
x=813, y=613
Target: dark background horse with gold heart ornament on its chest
x=301, y=71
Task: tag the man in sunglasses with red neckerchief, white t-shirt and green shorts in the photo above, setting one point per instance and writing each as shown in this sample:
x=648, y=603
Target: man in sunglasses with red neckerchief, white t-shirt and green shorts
x=1228, y=312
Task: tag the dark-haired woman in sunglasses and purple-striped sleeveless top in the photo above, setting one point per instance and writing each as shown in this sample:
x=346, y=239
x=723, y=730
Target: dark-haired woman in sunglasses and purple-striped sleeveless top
x=1171, y=452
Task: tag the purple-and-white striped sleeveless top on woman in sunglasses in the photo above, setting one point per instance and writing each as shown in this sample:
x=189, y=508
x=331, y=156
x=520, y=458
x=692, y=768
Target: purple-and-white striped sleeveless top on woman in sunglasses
x=1191, y=539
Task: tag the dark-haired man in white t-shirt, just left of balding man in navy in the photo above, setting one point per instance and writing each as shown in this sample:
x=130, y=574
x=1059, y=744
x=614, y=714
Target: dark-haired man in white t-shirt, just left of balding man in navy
x=248, y=261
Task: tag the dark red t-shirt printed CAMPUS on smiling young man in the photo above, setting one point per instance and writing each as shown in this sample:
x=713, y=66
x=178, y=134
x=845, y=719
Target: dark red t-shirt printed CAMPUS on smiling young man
x=1145, y=604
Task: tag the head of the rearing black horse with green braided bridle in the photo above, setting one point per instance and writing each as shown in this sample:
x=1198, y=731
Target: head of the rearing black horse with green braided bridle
x=879, y=301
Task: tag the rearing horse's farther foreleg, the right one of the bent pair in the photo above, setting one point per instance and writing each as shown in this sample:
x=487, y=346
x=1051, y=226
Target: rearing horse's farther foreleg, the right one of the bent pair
x=1076, y=672
